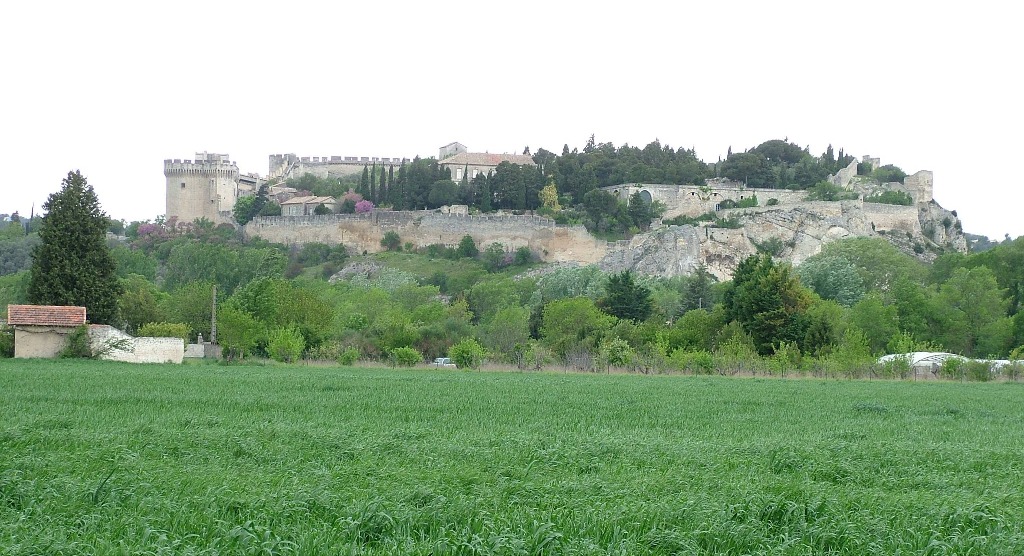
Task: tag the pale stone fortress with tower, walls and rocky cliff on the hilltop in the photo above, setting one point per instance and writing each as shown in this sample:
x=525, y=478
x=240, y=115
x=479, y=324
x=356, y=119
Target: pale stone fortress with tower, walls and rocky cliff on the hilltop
x=209, y=186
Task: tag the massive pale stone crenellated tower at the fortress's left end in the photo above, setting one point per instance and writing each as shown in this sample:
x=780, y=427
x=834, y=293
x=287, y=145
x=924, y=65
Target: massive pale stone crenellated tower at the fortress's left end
x=206, y=188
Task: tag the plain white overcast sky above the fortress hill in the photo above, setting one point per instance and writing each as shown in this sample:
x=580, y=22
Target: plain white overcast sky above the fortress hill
x=114, y=89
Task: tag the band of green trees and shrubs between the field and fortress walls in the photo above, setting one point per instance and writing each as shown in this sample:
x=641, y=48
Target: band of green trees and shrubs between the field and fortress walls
x=832, y=317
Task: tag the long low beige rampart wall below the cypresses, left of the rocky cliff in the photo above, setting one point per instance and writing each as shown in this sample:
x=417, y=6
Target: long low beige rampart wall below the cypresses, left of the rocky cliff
x=364, y=233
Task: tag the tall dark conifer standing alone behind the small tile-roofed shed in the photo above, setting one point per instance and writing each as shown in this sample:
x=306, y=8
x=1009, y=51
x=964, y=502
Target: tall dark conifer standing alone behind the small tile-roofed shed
x=73, y=266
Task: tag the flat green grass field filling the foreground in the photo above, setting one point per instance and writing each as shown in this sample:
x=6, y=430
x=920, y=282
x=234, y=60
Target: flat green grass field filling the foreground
x=100, y=458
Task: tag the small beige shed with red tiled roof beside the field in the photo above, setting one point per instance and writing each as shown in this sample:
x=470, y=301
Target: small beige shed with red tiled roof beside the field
x=41, y=331
